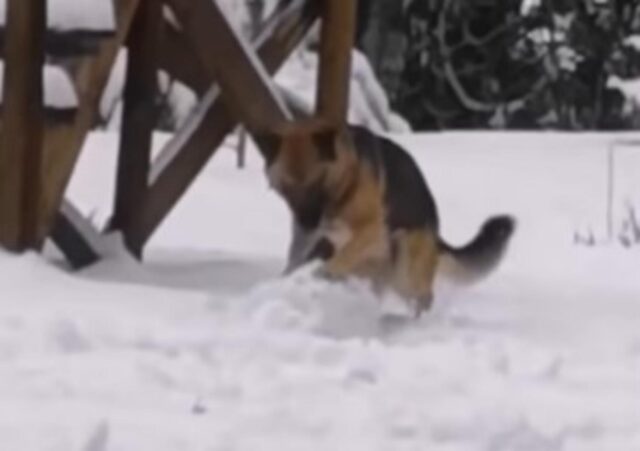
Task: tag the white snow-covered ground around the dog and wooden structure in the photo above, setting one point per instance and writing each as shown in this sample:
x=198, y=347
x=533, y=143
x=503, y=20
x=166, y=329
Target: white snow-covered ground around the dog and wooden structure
x=206, y=347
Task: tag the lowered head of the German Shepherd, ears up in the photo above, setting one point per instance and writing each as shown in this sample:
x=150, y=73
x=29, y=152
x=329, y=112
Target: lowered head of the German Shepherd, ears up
x=300, y=160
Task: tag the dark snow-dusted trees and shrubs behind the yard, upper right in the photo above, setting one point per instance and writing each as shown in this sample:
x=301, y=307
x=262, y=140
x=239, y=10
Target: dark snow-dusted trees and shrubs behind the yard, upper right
x=563, y=64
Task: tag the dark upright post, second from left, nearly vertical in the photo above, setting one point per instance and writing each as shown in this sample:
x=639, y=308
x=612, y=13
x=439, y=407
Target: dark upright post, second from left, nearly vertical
x=139, y=118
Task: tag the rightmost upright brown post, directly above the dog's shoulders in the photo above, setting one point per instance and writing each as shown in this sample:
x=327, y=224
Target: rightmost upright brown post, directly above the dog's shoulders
x=336, y=42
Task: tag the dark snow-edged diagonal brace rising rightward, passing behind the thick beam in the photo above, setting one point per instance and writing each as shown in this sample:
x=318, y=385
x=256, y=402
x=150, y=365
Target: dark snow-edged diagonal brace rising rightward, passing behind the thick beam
x=185, y=156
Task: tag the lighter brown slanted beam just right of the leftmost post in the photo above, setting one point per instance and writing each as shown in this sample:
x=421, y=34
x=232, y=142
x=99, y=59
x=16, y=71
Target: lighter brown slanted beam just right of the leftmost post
x=63, y=144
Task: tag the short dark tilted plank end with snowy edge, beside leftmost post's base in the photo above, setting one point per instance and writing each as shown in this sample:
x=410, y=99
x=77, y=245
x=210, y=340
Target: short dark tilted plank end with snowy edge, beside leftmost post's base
x=74, y=237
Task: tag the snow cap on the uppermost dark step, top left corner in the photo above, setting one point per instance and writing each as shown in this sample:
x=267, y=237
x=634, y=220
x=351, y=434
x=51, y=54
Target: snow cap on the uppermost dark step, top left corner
x=69, y=15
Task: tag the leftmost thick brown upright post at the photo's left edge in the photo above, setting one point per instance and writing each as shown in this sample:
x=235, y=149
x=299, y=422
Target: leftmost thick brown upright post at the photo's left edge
x=21, y=150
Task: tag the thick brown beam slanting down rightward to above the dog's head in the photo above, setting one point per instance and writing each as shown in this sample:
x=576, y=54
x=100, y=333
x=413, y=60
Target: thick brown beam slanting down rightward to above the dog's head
x=246, y=86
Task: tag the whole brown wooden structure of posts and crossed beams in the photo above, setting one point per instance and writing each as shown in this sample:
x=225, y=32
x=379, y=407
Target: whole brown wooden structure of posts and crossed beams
x=194, y=43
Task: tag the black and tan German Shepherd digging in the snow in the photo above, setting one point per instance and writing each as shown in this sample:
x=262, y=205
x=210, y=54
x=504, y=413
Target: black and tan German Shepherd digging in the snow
x=361, y=205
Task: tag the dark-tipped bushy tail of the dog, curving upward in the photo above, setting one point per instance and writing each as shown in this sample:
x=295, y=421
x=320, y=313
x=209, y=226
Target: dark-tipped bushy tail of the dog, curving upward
x=473, y=261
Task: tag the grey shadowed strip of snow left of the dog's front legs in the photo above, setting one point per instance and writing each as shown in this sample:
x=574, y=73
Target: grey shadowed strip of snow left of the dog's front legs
x=189, y=270
